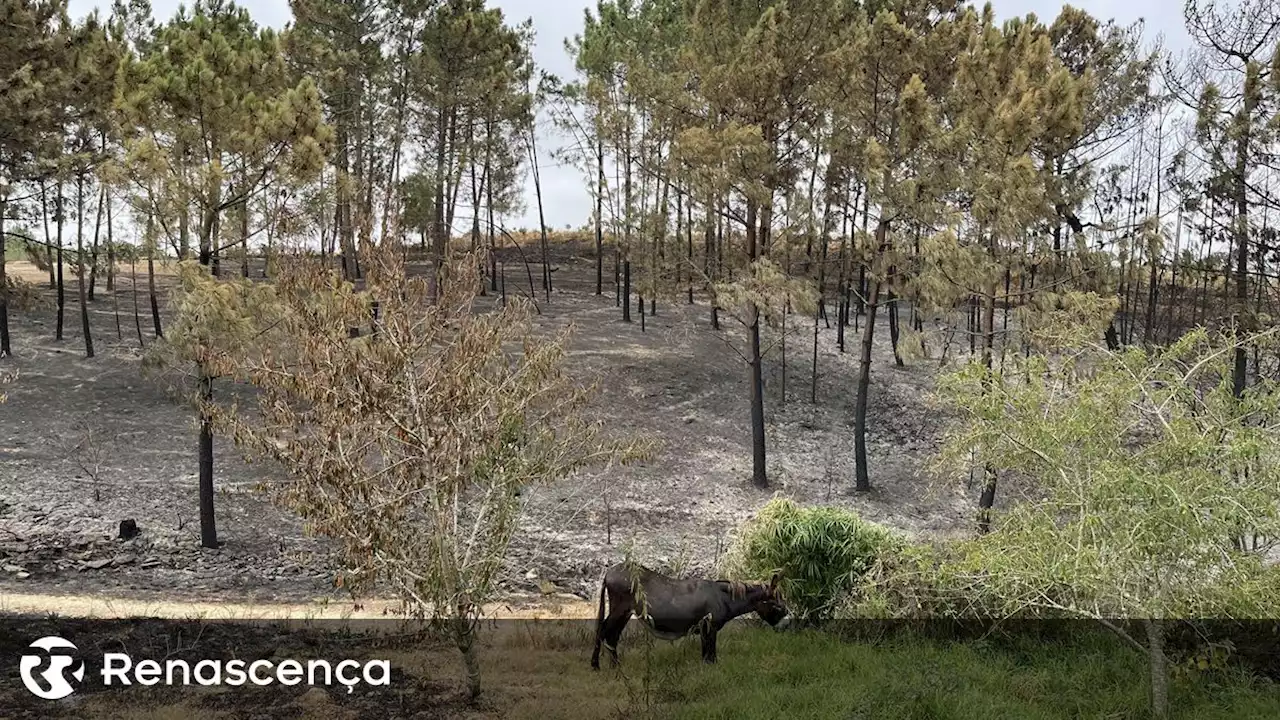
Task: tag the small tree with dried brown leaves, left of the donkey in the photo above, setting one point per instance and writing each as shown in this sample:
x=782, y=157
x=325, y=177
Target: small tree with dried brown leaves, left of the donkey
x=410, y=445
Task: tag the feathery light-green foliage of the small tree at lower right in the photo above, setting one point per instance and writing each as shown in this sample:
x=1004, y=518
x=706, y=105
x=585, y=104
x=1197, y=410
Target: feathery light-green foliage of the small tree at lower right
x=1145, y=477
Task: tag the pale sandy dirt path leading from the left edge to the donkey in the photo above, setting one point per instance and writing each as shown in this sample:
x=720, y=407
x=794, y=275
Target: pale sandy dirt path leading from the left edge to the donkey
x=99, y=608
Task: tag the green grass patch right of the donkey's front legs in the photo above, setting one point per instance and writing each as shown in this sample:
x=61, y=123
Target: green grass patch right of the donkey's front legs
x=813, y=675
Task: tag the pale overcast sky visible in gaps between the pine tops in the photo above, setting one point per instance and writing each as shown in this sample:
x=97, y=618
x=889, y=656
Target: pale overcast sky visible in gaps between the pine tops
x=566, y=199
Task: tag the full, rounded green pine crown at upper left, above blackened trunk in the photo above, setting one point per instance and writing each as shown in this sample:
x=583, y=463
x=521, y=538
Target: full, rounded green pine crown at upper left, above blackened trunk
x=213, y=116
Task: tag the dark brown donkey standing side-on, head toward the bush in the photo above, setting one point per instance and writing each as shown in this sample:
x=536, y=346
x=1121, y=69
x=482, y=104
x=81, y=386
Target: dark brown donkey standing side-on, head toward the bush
x=673, y=609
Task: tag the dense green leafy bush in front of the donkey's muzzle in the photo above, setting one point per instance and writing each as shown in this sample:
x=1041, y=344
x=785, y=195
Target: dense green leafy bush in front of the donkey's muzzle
x=821, y=552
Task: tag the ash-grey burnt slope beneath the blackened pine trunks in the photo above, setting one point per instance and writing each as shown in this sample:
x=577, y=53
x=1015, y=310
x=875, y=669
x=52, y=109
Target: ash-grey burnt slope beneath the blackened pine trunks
x=88, y=443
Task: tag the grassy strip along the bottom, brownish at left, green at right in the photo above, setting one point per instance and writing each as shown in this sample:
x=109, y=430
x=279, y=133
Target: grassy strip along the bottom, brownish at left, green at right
x=540, y=671
